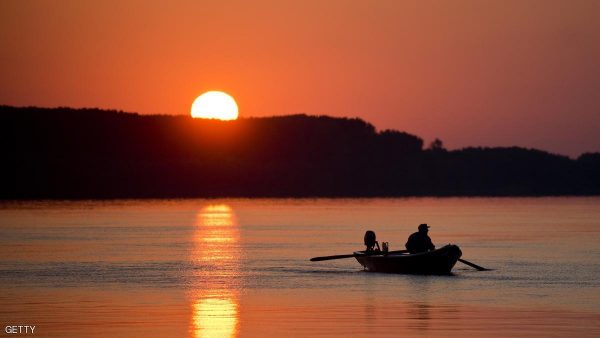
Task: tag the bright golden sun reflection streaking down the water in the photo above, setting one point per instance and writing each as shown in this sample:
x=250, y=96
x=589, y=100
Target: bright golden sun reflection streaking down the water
x=215, y=307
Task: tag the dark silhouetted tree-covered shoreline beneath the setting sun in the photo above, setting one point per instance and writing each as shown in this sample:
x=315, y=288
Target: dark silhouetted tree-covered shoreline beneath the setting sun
x=64, y=153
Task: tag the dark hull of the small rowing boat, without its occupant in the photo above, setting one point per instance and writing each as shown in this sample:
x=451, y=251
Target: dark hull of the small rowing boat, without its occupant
x=436, y=262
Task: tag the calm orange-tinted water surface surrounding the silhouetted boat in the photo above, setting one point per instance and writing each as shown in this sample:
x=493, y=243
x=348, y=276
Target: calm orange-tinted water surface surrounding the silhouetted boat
x=239, y=268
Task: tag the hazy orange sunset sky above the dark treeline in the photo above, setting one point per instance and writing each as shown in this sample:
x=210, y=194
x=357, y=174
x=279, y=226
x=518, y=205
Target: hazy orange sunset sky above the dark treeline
x=471, y=73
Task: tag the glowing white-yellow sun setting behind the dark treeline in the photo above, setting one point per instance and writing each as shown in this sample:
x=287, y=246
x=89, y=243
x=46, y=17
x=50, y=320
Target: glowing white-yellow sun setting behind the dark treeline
x=215, y=105
